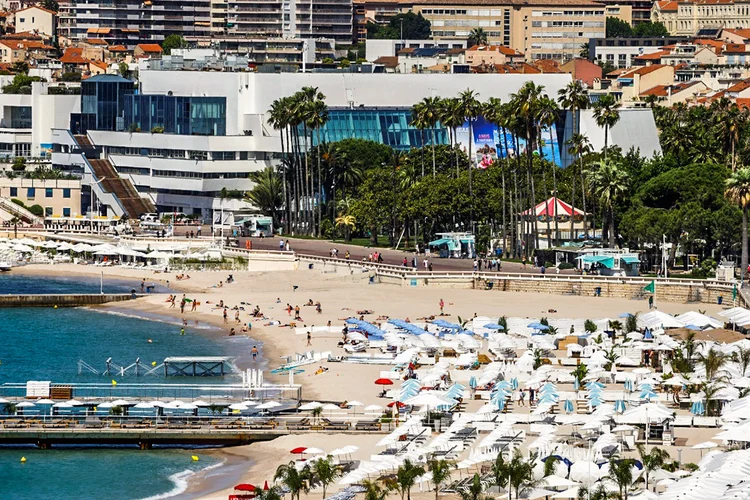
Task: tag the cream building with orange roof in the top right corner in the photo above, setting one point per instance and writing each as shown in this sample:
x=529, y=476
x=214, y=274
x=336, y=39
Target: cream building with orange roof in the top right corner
x=687, y=18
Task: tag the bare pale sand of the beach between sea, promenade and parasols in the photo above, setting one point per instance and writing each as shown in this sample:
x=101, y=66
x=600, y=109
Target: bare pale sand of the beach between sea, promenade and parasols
x=341, y=296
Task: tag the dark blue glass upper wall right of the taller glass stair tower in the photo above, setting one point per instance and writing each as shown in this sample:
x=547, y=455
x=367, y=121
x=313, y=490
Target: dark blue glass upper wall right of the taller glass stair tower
x=181, y=115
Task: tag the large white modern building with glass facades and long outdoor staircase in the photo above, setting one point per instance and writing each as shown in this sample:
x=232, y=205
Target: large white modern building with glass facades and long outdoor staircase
x=187, y=140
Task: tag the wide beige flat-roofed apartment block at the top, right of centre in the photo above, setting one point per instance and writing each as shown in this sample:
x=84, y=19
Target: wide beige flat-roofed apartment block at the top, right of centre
x=540, y=29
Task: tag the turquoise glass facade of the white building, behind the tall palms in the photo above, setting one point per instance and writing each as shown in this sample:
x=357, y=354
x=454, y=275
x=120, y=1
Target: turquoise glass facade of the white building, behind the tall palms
x=391, y=126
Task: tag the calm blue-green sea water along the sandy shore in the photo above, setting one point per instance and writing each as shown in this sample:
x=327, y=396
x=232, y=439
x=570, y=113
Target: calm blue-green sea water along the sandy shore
x=47, y=343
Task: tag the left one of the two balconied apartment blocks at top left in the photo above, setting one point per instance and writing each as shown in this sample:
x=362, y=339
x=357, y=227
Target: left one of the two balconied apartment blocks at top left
x=130, y=22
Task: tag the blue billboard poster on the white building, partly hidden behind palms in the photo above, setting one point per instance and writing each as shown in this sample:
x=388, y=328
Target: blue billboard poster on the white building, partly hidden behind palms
x=490, y=143
